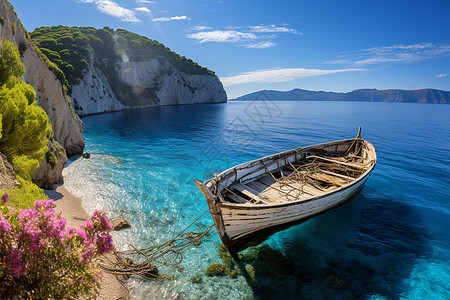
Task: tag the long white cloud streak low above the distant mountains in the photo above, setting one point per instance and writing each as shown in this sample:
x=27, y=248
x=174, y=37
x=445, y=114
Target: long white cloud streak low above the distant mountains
x=277, y=75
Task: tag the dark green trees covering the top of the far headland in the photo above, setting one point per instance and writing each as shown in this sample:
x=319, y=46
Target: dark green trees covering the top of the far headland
x=71, y=49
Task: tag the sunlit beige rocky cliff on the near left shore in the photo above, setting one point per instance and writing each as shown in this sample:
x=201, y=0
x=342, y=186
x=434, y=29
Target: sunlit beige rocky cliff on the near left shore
x=50, y=96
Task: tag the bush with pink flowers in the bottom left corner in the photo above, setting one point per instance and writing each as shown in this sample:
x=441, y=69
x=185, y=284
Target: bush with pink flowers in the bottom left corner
x=41, y=258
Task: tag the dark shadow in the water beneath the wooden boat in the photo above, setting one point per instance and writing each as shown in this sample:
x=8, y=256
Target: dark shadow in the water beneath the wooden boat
x=367, y=247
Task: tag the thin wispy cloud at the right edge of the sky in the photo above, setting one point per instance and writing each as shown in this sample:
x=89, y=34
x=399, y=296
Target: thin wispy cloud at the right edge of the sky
x=394, y=54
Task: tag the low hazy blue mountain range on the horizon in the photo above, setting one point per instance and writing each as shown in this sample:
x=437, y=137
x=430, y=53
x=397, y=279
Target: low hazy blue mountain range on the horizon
x=366, y=95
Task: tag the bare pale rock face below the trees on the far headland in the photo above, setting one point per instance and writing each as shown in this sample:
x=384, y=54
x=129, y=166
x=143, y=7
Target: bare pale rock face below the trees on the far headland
x=153, y=82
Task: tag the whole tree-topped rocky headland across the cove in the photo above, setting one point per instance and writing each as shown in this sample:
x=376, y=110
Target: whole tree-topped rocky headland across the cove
x=110, y=70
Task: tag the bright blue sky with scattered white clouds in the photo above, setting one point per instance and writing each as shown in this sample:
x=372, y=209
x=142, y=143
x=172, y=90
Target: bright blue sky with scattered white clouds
x=310, y=44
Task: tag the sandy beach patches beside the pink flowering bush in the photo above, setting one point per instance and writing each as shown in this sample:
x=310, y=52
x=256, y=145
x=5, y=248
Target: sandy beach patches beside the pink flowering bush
x=71, y=209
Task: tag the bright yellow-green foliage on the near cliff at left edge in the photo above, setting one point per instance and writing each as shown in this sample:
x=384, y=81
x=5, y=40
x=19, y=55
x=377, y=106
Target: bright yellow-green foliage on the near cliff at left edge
x=25, y=126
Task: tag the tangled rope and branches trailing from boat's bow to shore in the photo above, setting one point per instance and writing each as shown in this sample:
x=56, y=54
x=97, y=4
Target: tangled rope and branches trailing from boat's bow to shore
x=150, y=259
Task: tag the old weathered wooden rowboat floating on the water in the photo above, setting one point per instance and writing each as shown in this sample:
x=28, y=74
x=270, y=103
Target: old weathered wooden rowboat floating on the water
x=253, y=200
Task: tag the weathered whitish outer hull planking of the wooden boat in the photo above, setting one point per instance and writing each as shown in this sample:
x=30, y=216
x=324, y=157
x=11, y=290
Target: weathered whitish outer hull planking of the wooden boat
x=241, y=225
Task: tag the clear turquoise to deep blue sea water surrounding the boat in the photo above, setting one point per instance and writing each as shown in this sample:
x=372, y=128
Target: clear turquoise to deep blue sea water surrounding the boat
x=391, y=242
